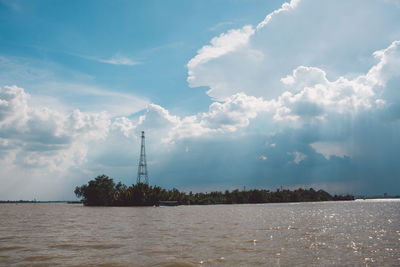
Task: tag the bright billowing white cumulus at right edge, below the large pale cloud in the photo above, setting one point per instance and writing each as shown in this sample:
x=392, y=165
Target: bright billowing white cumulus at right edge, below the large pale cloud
x=311, y=94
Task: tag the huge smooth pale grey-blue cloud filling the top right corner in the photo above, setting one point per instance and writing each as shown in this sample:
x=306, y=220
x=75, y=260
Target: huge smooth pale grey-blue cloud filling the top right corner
x=255, y=61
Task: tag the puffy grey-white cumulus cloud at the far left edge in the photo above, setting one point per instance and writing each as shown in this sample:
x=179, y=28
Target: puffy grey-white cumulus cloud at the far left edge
x=41, y=137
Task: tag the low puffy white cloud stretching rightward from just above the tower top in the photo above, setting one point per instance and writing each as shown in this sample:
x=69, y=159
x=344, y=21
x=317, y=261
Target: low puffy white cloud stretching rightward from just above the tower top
x=222, y=117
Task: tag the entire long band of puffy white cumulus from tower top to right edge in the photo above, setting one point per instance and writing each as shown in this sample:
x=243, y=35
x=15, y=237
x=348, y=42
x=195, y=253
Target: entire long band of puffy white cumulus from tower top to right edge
x=310, y=96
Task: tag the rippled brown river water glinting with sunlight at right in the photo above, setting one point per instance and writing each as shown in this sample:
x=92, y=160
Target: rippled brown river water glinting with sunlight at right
x=359, y=233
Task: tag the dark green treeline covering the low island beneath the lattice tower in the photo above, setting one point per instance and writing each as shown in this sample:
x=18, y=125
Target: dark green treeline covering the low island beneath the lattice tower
x=102, y=191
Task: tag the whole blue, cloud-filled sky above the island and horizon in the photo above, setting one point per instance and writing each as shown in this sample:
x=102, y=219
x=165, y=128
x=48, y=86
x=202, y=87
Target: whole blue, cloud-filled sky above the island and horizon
x=230, y=94
